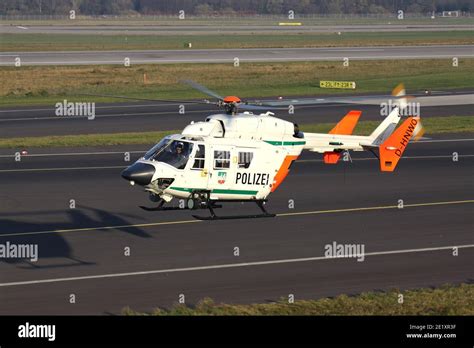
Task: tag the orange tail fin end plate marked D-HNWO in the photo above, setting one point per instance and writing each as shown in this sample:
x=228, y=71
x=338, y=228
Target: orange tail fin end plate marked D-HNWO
x=391, y=150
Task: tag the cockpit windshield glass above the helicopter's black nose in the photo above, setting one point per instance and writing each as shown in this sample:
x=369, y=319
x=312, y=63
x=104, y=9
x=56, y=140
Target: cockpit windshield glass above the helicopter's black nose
x=173, y=152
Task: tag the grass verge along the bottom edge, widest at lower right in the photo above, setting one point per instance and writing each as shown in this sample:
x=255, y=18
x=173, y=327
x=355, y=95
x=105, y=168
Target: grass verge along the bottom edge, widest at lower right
x=446, y=300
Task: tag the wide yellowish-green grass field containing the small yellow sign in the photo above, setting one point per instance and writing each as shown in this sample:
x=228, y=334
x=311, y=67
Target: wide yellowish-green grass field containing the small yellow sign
x=50, y=84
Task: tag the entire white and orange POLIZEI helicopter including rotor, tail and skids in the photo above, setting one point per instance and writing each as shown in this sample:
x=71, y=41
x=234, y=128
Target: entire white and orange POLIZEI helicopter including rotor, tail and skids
x=239, y=156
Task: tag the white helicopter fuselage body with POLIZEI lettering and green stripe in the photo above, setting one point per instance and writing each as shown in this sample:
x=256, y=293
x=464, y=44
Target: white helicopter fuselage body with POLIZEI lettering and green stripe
x=232, y=157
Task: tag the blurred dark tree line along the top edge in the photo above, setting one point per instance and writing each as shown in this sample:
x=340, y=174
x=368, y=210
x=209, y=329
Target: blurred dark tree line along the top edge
x=230, y=7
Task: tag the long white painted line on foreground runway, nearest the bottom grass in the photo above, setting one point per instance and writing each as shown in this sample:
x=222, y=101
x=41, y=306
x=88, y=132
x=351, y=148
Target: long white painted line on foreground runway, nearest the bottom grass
x=228, y=266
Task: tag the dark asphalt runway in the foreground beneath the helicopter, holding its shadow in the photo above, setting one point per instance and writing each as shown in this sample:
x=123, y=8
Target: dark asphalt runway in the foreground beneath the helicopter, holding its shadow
x=82, y=250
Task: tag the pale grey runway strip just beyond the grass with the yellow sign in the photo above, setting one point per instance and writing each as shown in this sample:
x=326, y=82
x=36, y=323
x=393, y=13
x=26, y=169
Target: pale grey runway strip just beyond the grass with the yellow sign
x=244, y=55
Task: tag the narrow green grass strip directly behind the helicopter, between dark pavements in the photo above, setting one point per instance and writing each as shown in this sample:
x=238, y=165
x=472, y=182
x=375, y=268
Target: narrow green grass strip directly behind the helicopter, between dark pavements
x=433, y=125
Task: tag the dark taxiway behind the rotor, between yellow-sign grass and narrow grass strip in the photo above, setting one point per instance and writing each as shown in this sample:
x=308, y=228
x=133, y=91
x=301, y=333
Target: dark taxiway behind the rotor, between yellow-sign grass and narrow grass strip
x=143, y=116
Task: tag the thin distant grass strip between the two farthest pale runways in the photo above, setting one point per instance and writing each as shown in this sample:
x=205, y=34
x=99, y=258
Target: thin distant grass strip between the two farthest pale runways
x=65, y=42
